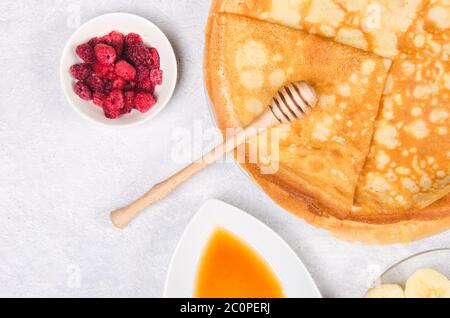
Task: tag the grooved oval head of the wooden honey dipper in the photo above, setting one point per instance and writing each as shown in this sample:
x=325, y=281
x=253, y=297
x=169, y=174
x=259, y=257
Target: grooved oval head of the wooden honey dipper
x=293, y=102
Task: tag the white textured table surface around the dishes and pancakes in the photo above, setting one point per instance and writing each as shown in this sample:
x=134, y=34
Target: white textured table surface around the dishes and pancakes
x=60, y=175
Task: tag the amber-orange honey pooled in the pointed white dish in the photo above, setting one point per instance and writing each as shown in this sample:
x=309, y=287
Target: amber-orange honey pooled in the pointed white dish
x=230, y=268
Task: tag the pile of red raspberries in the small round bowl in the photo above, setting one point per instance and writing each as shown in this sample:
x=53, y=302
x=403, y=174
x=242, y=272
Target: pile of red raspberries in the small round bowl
x=118, y=73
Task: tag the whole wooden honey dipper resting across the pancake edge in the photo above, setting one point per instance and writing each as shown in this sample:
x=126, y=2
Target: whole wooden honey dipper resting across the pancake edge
x=291, y=103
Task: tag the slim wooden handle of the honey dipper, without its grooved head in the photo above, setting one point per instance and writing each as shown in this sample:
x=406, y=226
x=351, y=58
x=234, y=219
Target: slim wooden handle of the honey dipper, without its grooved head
x=122, y=217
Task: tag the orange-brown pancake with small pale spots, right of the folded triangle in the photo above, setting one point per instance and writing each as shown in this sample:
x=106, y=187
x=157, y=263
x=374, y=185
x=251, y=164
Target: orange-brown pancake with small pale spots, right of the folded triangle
x=409, y=164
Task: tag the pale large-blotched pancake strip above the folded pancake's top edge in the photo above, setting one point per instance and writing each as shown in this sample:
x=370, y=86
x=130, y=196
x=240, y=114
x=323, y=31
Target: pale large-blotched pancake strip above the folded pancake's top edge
x=375, y=25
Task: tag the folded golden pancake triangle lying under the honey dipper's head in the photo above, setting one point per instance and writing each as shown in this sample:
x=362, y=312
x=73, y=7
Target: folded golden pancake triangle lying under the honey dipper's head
x=321, y=156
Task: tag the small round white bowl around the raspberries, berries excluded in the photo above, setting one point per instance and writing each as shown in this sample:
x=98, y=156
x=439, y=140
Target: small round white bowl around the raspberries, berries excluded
x=124, y=23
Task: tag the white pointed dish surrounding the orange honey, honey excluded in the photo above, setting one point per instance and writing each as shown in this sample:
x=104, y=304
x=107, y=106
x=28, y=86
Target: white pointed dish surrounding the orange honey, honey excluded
x=182, y=275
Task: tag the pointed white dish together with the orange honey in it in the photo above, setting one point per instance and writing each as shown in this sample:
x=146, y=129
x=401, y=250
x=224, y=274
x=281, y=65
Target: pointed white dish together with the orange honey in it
x=226, y=253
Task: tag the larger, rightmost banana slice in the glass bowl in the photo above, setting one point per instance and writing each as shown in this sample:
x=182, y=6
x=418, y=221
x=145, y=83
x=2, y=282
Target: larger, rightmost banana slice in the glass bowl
x=427, y=283
